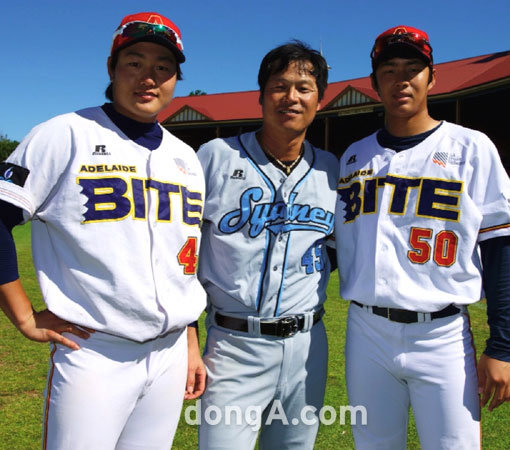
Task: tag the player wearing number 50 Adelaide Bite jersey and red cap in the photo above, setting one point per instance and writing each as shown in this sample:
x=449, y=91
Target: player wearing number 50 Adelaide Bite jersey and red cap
x=422, y=223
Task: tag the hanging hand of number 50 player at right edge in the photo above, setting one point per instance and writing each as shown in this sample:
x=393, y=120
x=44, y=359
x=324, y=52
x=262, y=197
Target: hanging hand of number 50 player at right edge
x=493, y=381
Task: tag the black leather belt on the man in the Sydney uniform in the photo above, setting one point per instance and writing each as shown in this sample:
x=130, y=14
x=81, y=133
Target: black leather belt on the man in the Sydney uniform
x=281, y=327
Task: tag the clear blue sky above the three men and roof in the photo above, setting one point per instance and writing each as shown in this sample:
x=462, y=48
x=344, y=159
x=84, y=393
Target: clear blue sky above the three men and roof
x=54, y=51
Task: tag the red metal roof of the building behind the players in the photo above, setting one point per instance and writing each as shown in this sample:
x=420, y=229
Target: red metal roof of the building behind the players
x=451, y=77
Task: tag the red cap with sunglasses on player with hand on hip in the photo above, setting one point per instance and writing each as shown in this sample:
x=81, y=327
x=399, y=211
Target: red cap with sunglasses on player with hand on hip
x=148, y=26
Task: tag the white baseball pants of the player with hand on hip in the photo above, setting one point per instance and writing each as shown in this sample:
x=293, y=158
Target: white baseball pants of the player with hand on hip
x=114, y=393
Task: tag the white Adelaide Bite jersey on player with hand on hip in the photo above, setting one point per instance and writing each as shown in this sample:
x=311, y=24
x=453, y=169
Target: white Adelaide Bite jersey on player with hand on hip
x=115, y=226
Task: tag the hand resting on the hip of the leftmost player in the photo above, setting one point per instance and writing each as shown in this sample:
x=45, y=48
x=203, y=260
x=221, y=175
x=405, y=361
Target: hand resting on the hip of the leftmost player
x=44, y=326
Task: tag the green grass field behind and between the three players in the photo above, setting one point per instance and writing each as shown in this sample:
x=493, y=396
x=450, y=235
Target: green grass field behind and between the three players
x=23, y=366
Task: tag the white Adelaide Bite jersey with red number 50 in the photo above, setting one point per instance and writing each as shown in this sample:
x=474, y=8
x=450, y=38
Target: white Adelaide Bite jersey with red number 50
x=408, y=223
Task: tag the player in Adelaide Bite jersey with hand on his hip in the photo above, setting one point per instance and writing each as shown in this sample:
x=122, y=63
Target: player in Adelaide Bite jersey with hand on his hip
x=115, y=203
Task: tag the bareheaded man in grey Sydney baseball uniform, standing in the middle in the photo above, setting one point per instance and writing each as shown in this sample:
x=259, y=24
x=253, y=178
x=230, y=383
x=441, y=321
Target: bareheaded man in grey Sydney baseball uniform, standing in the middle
x=269, y=209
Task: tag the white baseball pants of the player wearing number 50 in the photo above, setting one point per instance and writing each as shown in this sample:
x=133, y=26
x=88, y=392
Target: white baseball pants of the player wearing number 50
x=429, y=366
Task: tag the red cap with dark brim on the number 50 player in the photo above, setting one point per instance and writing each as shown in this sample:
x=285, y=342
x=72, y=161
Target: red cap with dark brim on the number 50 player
x=401, y=41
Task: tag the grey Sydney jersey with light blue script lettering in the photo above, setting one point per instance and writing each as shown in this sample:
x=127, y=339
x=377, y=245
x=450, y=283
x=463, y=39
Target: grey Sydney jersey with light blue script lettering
x=275, y=263
